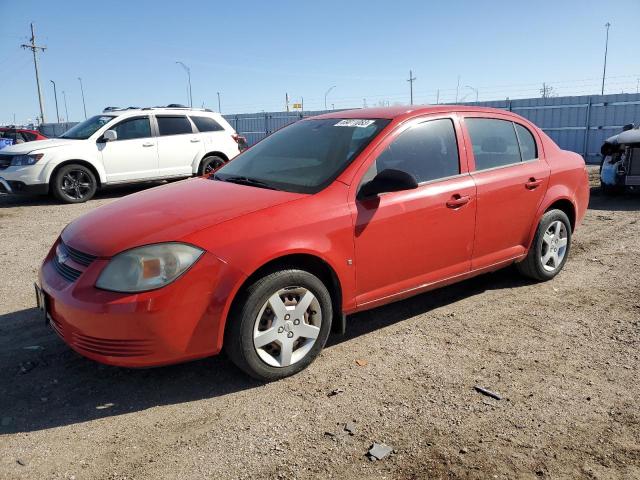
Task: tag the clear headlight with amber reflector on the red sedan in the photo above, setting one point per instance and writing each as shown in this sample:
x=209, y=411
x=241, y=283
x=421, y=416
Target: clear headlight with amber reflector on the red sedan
x=147, y=268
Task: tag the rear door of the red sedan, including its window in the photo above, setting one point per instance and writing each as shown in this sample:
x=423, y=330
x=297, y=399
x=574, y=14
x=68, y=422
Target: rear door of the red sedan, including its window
x=511, y=178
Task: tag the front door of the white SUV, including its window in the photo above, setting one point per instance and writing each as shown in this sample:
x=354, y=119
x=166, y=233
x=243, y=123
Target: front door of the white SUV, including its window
x=134, y=154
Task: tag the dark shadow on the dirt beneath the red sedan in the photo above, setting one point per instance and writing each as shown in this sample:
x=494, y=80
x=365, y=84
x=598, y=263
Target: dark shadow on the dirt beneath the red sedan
x=45, y=384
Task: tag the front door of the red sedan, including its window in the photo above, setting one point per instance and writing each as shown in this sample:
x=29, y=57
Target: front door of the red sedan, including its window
x=409, y=239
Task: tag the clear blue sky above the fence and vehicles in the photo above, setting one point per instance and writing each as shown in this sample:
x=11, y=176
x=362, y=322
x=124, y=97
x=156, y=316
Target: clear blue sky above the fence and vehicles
x=252, y=52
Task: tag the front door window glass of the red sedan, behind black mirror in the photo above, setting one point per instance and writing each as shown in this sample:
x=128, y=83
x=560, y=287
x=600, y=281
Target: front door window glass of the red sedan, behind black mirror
x=428, y=151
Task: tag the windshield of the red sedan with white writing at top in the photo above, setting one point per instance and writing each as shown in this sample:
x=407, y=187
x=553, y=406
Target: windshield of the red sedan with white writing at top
x=304, y=157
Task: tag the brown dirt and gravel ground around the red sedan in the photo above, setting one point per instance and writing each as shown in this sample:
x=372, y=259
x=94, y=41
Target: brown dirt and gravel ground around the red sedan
x=564, y=356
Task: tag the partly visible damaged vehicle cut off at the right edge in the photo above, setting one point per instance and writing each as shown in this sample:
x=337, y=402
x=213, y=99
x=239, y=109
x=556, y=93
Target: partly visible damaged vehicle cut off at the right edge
x=620, y=167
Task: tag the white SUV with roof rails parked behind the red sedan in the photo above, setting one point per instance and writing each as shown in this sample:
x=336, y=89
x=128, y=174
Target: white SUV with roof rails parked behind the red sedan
x=120, y=146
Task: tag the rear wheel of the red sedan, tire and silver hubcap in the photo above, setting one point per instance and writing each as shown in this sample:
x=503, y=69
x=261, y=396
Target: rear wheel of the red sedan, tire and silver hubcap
x=543, y=245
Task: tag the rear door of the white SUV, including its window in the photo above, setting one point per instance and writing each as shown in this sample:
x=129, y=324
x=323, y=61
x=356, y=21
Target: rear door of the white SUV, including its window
x=179, y=145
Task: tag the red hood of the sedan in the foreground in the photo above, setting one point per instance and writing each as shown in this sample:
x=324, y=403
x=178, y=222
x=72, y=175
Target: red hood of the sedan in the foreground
x=167, y=213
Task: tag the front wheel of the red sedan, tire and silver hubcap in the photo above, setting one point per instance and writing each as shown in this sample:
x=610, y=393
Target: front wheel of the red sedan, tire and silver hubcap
x=258, y=317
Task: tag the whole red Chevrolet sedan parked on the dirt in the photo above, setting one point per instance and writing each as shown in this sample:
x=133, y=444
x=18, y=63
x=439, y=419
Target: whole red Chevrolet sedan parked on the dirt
x=329, y=216
